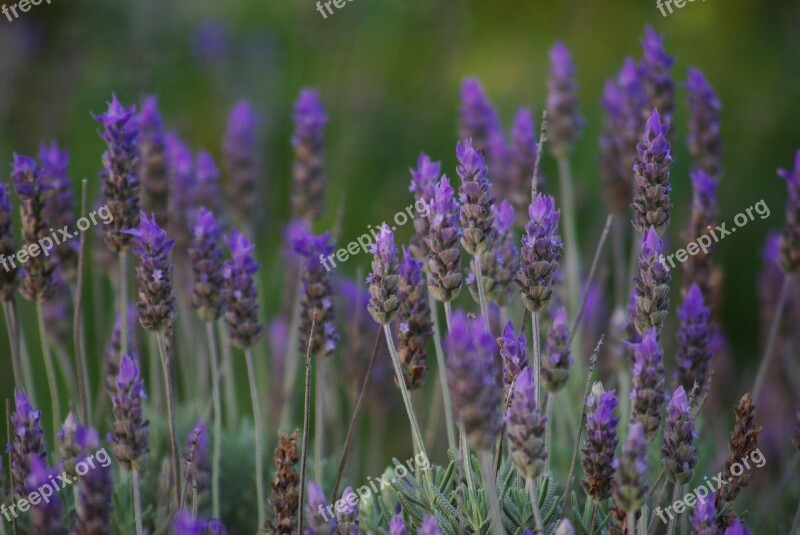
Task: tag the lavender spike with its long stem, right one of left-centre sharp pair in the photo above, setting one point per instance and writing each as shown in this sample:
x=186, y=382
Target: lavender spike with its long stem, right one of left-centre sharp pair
x=244, y=330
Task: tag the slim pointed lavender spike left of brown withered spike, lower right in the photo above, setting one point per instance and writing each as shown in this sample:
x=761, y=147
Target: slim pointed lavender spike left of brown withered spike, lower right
x=680, y=455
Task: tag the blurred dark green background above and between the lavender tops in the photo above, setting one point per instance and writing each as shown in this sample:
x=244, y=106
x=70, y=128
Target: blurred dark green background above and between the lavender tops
x=389, y=74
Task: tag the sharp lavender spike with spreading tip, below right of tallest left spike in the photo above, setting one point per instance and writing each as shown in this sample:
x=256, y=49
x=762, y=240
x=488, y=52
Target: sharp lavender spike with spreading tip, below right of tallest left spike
x=156, y=304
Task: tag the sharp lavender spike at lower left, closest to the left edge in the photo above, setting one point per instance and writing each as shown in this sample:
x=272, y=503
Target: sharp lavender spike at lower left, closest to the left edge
x=27, y=441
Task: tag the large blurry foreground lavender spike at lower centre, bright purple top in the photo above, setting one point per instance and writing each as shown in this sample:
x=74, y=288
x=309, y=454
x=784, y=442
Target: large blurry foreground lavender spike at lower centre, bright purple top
x=473, y=380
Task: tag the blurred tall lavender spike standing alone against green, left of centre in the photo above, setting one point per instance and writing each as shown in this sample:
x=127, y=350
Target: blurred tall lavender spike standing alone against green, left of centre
x=308, y=175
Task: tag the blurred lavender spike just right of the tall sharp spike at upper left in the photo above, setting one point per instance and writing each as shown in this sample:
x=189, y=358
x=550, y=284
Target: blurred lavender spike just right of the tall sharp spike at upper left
x=153, y=168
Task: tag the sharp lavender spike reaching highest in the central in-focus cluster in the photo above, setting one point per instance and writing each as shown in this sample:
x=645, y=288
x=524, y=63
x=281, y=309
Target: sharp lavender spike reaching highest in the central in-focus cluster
x=477, y=215
